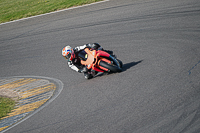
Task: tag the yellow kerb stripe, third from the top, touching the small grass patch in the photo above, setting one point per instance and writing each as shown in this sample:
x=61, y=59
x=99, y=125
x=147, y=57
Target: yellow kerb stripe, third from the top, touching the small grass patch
x=26, y=108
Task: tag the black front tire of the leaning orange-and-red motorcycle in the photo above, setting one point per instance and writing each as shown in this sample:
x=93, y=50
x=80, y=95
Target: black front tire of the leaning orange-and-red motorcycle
x=111, y=67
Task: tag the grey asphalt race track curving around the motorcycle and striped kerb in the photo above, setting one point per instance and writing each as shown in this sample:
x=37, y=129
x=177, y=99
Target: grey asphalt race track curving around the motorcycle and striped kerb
x=158, y=90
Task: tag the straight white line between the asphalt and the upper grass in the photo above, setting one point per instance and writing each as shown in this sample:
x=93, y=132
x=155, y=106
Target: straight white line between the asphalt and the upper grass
x=54, y=12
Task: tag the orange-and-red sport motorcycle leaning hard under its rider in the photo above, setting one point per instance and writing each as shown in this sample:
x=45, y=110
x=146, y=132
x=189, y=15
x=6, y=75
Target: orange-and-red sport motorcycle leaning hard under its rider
x=100, y=61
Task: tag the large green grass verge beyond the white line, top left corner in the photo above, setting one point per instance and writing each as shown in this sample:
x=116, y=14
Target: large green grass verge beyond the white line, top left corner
x=17, y=9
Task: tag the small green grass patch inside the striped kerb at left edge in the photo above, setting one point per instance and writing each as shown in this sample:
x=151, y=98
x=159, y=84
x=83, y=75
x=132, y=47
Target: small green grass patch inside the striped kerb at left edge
x=6, y=105
